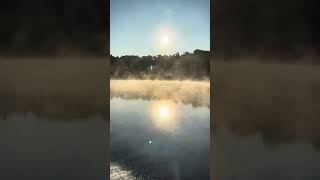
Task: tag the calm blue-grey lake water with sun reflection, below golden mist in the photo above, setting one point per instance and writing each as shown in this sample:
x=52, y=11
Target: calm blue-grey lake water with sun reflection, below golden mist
x=153, y=139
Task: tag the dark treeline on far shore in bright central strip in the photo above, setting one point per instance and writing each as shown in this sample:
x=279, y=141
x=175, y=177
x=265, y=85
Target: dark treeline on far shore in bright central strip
x=194, y=65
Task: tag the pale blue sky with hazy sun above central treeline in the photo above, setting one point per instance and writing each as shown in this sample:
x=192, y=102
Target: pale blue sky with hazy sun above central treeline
x=137, y=27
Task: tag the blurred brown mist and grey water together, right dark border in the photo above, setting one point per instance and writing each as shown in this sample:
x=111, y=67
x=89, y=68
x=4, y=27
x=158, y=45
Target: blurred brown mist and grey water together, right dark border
x=265, y=121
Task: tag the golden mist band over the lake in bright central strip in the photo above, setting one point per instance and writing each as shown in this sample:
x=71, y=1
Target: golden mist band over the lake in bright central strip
x=196, y=93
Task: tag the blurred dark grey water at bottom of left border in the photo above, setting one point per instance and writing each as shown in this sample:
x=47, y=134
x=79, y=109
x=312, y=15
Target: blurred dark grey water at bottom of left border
x=38, y=148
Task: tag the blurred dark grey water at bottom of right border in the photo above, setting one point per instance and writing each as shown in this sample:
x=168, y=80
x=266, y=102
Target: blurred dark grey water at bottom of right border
x=250, y=157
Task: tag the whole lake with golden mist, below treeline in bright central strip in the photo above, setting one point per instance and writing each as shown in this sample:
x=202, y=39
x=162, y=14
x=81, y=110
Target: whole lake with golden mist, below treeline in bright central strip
x=155, y=126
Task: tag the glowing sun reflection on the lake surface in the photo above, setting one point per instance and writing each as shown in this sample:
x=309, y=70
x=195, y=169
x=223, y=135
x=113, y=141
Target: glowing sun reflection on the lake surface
x=164, y=115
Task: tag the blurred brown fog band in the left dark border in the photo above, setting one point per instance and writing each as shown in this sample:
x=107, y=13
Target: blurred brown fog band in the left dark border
x=53, y=86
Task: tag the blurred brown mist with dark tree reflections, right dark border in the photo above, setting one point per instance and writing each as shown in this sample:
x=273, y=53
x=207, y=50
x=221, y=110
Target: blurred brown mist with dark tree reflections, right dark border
x=279, y=102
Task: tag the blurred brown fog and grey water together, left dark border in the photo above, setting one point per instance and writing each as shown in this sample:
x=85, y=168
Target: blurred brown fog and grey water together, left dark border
x=53, y=118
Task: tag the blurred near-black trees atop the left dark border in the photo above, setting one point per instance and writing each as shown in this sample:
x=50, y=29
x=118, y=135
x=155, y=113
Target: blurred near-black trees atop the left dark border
x=53, y=27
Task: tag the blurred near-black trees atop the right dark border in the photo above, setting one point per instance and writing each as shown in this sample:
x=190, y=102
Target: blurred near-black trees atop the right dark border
x=286, y=30
